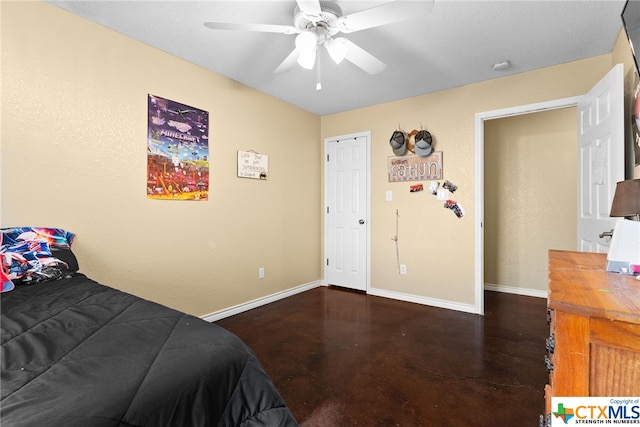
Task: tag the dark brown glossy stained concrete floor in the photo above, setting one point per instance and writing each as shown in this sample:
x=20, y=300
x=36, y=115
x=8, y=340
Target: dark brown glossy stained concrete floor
x=342, y=358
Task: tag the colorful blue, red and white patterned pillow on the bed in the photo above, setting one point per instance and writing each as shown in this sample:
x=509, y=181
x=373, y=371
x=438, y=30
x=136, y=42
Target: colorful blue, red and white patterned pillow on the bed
x=36, y=254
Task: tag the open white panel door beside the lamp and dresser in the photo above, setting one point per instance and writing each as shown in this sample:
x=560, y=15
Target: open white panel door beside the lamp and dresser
x=600, y=159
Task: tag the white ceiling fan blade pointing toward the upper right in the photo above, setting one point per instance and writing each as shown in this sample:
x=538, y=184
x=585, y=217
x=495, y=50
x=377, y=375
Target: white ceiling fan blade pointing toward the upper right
x=384, y=14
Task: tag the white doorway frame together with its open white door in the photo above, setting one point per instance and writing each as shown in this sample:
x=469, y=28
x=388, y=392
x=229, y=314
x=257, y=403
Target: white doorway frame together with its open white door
x=600, y=160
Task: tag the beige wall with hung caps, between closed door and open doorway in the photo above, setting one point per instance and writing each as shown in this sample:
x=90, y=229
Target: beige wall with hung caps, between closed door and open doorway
x=436, y=246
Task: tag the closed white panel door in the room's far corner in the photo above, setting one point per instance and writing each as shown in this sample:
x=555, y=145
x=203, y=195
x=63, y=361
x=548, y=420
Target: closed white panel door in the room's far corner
x=347, y=210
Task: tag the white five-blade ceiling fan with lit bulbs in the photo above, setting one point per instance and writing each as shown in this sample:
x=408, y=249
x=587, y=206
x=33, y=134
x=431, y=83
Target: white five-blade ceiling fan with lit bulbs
x=317, y=22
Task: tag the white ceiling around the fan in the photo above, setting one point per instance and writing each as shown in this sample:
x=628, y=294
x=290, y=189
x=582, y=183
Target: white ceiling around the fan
x=455, y=45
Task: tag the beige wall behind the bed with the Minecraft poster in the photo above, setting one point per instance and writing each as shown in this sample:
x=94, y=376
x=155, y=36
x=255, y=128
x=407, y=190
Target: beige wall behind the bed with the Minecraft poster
x=74, y=100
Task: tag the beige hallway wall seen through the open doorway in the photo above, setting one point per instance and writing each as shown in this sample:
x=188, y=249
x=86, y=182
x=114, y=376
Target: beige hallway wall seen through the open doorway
x=530, y=198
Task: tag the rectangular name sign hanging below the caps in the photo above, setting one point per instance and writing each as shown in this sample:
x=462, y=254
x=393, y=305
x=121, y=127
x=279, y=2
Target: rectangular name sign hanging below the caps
x=415, y=168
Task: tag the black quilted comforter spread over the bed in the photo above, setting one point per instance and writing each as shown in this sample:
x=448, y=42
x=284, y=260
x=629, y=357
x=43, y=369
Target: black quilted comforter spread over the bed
x=77, y=353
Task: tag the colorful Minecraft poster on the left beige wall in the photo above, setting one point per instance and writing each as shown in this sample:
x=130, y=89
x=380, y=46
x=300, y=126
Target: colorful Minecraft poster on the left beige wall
x=177, y=151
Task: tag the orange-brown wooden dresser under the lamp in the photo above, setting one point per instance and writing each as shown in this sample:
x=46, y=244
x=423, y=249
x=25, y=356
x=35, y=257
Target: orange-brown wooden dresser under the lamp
x=594, y=318
